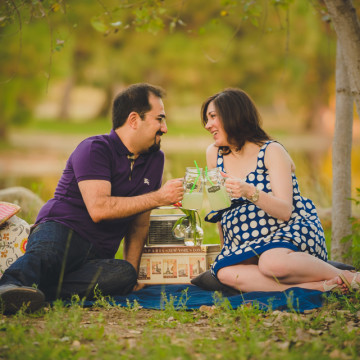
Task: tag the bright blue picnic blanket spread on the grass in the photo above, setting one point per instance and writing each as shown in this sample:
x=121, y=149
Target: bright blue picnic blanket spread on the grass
x=188, y=297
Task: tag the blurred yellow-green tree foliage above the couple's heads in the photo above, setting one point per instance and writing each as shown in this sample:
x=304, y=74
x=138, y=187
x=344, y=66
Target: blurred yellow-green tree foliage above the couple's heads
x=280, y=52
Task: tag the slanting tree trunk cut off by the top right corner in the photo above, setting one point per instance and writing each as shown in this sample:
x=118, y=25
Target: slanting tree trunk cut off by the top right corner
x=346, y=23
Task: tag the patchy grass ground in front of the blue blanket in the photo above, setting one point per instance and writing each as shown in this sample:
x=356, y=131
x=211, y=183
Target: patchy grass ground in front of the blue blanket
x=219, y=332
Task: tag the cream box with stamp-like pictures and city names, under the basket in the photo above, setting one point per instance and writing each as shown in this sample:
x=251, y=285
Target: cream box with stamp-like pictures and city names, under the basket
x=165, y=264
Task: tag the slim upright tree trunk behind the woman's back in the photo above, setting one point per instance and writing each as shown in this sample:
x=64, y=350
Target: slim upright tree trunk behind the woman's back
x=341, y=163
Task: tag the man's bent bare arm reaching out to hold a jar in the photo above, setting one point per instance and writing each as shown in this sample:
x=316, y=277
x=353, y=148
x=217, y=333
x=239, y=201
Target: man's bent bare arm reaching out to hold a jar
x=102, y=206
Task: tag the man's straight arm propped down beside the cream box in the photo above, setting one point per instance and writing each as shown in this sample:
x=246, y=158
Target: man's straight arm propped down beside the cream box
x=135, y=239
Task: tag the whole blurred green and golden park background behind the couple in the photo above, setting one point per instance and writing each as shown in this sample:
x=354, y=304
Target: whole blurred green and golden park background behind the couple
x=59, y=75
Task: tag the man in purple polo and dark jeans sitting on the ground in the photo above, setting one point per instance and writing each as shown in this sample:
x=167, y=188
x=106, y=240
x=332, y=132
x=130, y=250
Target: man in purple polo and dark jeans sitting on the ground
x=107, y=190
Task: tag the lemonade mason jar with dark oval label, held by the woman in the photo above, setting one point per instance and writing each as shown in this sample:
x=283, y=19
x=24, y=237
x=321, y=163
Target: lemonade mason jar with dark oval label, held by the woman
x=218, y=197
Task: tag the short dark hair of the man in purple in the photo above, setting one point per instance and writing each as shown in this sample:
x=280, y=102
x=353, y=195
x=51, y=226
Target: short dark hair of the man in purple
x=133, y=98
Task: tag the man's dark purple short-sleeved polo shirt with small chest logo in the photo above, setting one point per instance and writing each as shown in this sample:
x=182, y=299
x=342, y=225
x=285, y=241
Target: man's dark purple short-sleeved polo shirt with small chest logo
x=102, y=157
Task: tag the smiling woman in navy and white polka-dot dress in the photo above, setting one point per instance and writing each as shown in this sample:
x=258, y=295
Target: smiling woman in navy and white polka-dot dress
x=272, y=237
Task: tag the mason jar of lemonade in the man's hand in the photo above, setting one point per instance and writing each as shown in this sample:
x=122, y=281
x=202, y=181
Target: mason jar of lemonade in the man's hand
x=193, y=188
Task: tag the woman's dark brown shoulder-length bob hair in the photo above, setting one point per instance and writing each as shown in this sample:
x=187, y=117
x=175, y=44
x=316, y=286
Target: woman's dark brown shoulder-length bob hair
x=240, y=118
